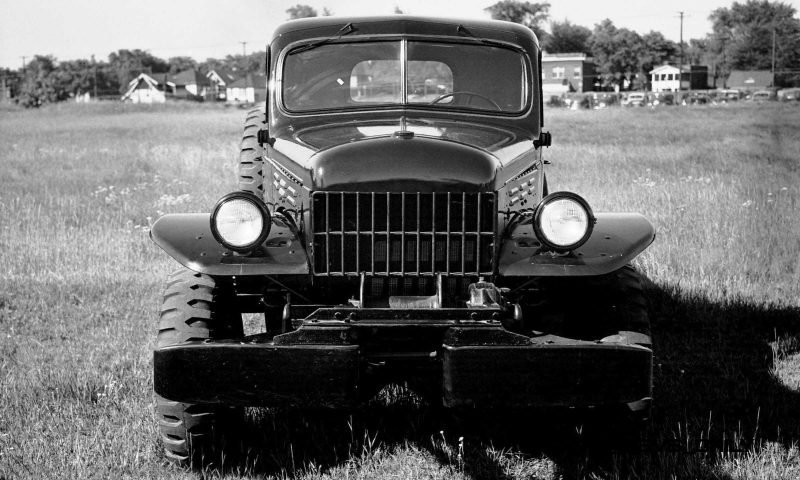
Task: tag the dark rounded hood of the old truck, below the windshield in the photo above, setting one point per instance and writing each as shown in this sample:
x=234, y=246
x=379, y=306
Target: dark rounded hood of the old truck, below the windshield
x=407, y=156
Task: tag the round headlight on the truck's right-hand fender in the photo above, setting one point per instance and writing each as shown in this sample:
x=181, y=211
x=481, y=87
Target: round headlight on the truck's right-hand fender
x=563, y=221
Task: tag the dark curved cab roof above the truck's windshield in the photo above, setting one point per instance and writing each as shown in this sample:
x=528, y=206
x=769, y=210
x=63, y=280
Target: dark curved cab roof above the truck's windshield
x=323, y=27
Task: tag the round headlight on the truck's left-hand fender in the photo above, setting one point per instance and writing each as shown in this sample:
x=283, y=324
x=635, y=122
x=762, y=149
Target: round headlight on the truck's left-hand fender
x=240, y=221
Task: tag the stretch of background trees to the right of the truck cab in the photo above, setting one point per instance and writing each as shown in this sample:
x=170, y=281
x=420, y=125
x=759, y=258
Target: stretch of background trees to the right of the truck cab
x=753, y=35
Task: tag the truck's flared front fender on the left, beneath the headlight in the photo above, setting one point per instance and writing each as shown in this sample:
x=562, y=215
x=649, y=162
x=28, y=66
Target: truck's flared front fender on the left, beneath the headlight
x=187, y=238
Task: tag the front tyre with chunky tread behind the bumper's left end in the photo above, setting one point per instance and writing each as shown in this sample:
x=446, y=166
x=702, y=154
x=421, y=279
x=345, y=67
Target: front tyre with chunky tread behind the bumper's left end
x=194, y=308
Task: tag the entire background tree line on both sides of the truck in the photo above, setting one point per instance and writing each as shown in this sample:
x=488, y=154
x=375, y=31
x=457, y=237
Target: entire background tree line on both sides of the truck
x=754, y=35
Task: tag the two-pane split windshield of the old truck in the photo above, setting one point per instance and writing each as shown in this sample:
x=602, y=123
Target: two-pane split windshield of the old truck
x=437, y=75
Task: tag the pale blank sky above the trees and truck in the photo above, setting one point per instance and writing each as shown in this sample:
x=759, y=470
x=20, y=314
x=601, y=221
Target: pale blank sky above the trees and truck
x=72, y=29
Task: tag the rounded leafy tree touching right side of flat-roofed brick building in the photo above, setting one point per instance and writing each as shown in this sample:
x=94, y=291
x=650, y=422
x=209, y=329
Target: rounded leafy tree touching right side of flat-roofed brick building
x=616, y=53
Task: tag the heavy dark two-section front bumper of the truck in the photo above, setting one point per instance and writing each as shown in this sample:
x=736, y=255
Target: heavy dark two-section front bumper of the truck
x=474, y=363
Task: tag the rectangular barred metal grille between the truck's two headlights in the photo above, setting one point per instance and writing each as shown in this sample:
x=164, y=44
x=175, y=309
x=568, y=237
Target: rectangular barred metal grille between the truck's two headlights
x=404, y=233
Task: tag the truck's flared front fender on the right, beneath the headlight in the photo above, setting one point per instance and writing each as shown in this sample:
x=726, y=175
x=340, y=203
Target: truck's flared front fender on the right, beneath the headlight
x=617, y=239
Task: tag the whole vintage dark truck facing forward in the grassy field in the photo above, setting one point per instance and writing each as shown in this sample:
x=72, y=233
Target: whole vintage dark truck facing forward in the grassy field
x=385, y=237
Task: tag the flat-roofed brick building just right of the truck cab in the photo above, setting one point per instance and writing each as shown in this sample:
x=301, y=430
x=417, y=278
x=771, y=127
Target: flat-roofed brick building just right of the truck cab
x=567, y=72
